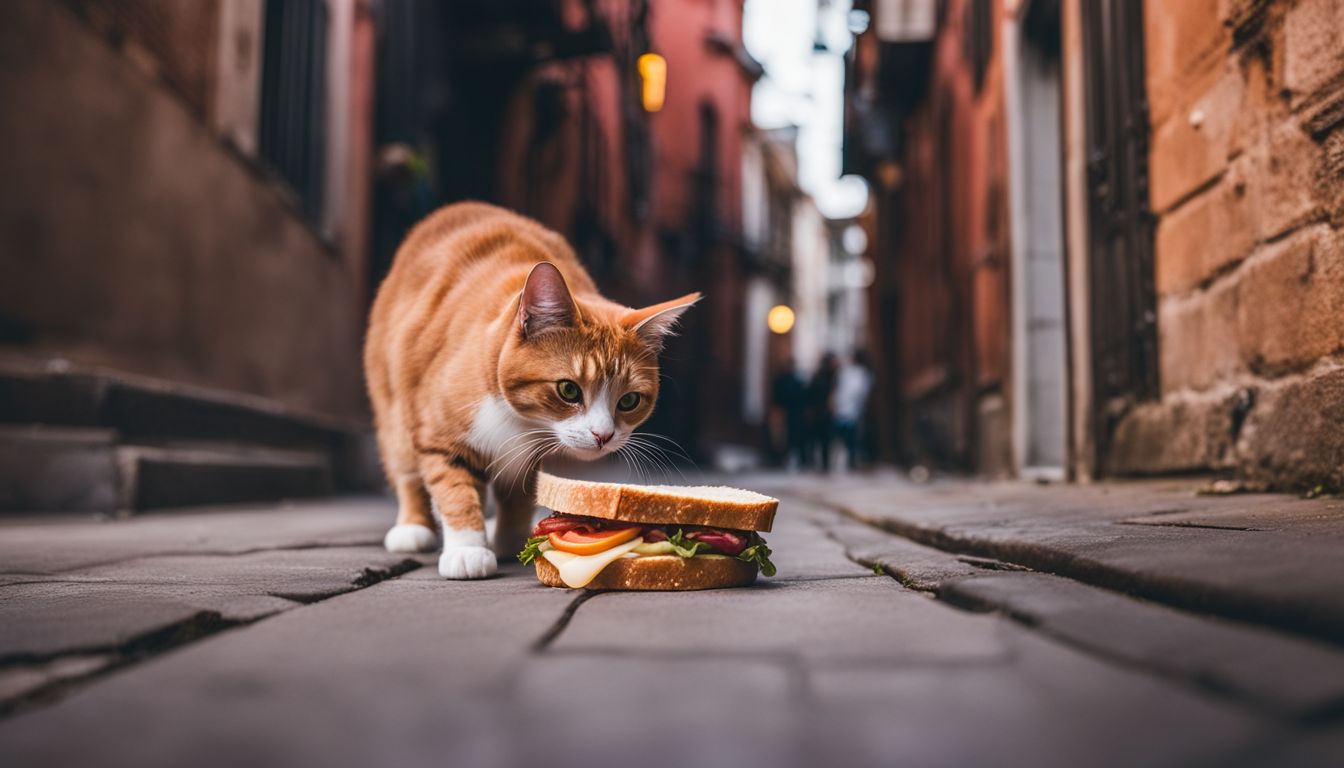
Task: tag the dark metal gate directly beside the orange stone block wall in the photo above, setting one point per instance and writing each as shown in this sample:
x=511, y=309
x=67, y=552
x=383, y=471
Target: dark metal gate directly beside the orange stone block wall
x=1123, y=305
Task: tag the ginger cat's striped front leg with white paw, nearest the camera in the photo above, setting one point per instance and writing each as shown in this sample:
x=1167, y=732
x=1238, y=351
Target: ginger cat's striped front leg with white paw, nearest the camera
x=459, y=500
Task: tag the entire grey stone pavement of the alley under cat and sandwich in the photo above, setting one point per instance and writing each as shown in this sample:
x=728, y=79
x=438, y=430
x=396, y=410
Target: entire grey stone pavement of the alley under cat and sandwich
x=941, y=625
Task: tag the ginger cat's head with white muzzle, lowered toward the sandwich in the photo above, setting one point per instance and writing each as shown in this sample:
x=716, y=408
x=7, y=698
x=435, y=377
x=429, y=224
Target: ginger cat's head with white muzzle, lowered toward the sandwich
x=587, y=372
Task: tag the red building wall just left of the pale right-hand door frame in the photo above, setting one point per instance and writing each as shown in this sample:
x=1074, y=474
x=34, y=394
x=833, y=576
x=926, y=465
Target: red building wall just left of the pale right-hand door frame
x=941, y=252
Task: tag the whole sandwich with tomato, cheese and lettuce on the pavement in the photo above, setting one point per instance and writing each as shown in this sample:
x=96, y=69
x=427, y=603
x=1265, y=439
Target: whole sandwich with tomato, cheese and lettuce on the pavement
x=614, y=536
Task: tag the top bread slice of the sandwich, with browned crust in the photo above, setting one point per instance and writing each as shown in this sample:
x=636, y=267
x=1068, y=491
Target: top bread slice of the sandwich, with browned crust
x=713, y=506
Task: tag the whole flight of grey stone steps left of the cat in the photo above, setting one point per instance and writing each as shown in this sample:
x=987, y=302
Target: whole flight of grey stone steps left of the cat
x=95, y=442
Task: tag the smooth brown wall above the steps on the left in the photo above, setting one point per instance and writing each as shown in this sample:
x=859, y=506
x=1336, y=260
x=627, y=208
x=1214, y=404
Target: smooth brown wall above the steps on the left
x=132, y=239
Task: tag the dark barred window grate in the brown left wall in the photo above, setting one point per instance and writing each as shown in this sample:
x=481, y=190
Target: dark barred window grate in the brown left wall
x=294, y=98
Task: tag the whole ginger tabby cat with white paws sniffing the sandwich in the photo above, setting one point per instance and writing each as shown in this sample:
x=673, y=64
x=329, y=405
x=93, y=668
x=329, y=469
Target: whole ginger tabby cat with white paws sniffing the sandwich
x=490, y=349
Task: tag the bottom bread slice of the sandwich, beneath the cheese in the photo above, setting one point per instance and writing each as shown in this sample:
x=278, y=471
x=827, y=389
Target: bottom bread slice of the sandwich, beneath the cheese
x=666, y=572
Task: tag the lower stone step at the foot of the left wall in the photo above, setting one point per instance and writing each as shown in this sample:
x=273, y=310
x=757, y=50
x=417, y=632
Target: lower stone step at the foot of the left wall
x=62, y=469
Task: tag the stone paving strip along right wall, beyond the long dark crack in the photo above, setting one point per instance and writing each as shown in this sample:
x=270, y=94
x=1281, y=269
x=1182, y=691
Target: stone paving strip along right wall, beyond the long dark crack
x=1288, y=576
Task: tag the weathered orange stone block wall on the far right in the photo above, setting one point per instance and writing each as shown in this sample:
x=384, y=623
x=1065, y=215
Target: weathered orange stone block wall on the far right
x=1248, y=185
